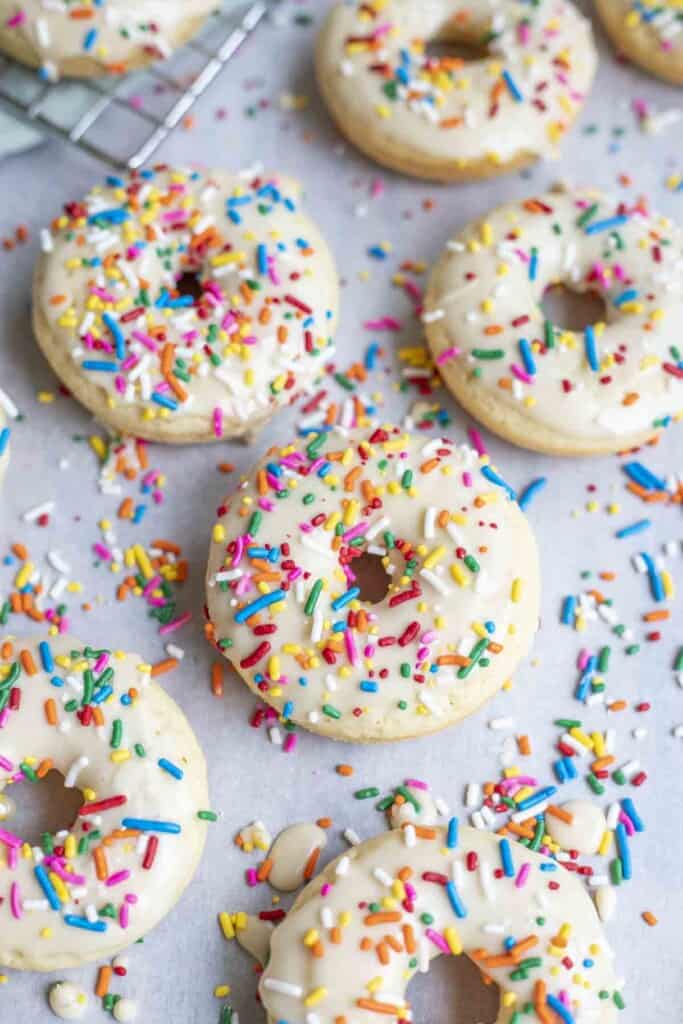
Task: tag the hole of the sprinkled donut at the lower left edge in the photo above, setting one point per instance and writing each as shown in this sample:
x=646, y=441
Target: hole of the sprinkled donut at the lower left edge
x=47, y=806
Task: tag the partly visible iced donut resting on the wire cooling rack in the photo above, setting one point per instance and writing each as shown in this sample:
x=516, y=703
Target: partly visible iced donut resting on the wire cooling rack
x=97, y=37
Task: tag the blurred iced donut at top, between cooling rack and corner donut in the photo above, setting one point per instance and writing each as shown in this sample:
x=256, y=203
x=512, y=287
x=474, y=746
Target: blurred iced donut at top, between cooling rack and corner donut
x=442, y=118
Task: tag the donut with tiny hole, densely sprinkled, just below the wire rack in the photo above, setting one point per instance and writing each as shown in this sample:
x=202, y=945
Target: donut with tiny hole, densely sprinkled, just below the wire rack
x=184, y=306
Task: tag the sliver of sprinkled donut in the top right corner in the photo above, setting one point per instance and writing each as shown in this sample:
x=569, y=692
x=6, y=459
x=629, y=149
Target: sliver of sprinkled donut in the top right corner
x=648, y=32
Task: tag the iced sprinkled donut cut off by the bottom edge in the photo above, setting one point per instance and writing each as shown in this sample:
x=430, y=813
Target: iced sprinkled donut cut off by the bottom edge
x=377, y=916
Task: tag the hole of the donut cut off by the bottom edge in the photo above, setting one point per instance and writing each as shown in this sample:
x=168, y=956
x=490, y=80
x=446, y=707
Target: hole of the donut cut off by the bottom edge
x=453, y=993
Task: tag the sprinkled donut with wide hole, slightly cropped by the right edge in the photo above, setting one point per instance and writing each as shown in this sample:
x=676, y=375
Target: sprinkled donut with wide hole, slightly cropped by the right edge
x=609, y=388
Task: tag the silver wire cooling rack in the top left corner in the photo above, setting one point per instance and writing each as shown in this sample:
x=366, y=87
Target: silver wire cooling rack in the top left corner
x=137, y=113
